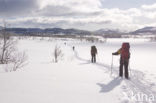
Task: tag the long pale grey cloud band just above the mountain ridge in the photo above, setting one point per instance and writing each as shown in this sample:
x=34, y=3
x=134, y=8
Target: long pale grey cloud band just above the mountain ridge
x=59, y=23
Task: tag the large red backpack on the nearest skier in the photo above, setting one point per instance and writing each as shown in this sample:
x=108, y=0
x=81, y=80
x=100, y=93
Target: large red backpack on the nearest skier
x=125, y=54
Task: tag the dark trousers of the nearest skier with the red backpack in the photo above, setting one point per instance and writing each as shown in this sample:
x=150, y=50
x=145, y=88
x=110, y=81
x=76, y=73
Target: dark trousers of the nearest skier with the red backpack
x=124, y=63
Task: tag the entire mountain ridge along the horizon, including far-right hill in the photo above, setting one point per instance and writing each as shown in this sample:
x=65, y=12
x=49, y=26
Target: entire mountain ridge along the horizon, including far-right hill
x=72, y=31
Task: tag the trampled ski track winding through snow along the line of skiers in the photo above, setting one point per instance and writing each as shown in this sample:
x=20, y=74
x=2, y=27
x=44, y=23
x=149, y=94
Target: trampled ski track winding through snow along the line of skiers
x=136, y=84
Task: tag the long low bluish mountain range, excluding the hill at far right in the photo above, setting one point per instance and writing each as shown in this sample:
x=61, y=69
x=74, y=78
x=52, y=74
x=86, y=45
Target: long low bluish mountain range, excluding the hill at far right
x=64, y=31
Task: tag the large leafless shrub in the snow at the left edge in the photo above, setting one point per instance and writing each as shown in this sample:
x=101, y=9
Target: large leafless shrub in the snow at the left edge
x=9, y=54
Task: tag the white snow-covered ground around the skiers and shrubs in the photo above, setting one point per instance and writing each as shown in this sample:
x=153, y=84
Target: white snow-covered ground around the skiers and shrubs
x=75, y=80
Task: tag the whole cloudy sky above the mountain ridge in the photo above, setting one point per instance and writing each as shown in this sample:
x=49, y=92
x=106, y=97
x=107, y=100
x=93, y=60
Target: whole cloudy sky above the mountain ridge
x=125, y=15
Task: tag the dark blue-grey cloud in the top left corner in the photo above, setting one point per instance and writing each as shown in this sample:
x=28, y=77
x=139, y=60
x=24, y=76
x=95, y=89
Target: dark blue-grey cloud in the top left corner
x=17, y=7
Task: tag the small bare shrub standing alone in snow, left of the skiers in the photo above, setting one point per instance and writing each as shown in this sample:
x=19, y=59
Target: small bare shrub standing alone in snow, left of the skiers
x=57, y=54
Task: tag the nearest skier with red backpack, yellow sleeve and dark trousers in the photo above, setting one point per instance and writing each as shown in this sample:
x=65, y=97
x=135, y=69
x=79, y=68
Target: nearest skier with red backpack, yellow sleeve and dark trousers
x=124, y=59
